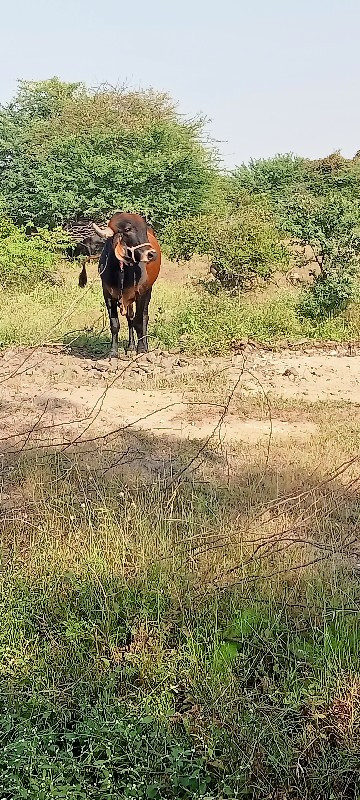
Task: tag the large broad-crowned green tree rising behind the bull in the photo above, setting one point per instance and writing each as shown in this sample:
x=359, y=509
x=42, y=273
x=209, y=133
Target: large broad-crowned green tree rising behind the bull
x=67, y=152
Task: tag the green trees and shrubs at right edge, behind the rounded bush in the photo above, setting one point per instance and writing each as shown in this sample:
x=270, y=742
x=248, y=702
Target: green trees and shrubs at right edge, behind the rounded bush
x=317, y=204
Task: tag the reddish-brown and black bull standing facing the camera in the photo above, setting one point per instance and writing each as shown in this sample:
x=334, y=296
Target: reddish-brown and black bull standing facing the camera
x=129, y=266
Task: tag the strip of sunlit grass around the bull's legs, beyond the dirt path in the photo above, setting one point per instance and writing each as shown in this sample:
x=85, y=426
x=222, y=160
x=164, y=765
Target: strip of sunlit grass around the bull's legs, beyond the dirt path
x=180, y=316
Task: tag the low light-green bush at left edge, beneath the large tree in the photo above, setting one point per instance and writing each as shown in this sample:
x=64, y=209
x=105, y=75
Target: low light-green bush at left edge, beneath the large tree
x=28, y=260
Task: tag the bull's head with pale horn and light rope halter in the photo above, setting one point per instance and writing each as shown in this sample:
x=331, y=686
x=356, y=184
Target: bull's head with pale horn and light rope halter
x=130, y=243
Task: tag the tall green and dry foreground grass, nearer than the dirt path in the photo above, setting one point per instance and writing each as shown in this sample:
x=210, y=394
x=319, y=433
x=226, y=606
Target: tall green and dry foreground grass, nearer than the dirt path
x=149, y=648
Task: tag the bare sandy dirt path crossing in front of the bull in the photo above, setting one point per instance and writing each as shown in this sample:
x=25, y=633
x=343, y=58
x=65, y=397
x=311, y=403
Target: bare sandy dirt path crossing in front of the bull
x=53, y=393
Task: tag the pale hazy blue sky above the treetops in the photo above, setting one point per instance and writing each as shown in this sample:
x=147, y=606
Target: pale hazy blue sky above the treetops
x=272, y=76
